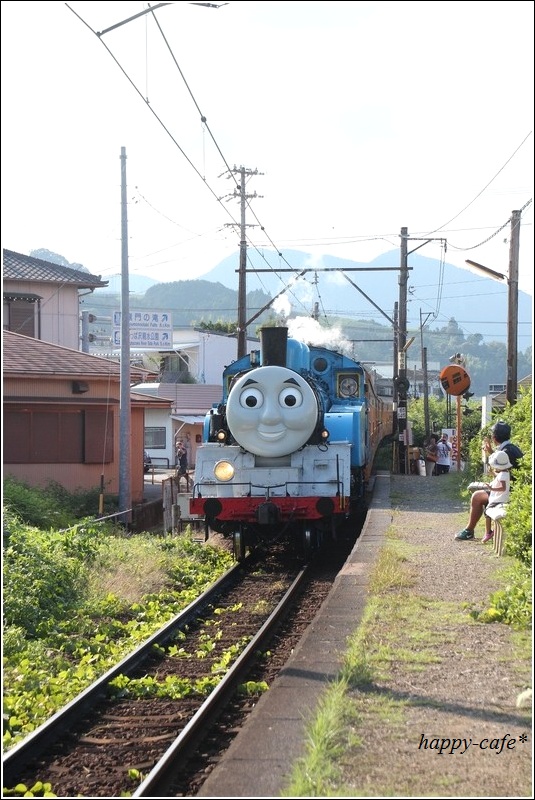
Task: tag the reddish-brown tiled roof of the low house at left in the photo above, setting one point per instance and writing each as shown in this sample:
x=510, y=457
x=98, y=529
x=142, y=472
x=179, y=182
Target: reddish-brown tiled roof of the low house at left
x=24, y=355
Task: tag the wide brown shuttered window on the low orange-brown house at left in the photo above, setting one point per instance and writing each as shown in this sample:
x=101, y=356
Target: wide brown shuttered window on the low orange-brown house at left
x=58, y=437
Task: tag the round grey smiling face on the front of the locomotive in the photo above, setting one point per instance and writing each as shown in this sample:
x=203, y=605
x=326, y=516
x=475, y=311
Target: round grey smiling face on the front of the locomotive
x=271, y=411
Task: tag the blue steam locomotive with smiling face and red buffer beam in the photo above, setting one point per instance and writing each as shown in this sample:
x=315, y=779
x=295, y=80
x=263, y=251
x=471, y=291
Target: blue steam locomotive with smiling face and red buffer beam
x=290, y=448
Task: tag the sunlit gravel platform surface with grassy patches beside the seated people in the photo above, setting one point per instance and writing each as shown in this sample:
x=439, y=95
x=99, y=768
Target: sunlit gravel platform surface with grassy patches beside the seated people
x=448, y=726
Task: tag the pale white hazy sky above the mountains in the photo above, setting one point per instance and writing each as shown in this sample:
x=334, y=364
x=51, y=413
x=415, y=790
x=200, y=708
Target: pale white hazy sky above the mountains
x=360, y=118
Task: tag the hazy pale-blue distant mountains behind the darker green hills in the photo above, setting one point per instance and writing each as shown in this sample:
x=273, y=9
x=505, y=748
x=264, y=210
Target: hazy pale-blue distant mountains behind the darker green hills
x=333, y=286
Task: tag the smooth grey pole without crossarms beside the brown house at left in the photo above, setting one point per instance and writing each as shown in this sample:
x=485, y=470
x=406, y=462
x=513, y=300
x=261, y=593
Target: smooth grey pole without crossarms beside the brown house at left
x=125, y=488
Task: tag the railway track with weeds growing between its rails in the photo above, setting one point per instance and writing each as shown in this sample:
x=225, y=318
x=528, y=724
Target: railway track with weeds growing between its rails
x=140, y=737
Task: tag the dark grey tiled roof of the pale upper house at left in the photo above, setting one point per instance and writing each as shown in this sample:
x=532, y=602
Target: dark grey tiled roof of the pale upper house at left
x=18, y=267
